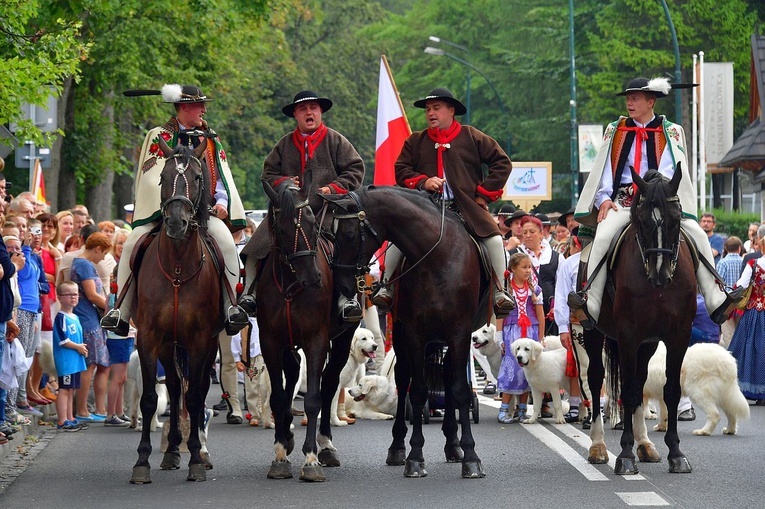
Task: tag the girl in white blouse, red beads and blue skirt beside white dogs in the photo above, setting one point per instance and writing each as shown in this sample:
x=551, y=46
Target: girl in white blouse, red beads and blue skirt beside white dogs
x=525, y=321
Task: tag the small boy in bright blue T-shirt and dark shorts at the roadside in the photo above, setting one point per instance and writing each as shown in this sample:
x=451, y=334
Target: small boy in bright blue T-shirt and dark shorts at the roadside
x=69, y=354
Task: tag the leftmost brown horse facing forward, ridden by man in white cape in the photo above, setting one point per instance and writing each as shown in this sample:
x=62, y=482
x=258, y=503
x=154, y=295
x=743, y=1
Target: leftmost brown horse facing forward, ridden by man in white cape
x=178, y=309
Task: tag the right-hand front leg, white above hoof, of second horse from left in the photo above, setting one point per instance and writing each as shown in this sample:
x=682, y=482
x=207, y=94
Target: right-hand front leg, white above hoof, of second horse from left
x=316, y=355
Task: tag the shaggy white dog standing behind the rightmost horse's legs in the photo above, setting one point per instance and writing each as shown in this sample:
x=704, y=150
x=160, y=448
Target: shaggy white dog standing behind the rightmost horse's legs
x=709, y=376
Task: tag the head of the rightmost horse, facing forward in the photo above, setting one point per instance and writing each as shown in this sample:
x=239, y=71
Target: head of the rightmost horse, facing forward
x=656, y=214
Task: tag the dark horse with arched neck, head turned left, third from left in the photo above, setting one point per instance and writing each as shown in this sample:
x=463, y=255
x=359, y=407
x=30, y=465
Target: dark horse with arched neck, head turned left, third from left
x=442, y=299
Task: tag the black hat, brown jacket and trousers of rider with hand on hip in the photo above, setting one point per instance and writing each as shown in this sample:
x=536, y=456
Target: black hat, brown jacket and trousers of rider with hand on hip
x=456, y=154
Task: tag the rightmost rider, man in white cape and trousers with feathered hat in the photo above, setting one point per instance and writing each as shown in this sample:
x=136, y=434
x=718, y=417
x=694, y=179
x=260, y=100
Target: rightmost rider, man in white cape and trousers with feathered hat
x=643, y=141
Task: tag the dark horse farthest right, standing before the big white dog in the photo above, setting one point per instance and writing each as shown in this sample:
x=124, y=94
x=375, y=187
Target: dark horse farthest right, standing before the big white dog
x=653, y=299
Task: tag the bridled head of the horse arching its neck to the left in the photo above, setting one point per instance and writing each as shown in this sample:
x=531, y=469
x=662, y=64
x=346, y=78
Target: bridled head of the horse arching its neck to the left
x=355, y=242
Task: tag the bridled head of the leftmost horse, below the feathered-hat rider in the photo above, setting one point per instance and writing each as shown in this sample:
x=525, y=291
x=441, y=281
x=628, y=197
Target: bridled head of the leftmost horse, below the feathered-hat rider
x=185, y=183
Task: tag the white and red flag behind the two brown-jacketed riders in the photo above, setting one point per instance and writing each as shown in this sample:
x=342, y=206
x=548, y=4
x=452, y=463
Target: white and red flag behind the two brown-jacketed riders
x=392, y=127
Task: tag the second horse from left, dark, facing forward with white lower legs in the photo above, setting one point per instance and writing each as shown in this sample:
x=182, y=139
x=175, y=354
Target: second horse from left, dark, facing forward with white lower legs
x=295, y=308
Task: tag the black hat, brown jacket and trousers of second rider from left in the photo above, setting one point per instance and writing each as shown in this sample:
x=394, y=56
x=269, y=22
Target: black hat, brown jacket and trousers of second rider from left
x=332, y=162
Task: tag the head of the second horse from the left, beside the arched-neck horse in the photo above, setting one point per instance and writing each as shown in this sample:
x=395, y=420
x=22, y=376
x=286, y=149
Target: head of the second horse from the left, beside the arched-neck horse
x=295, y=232
